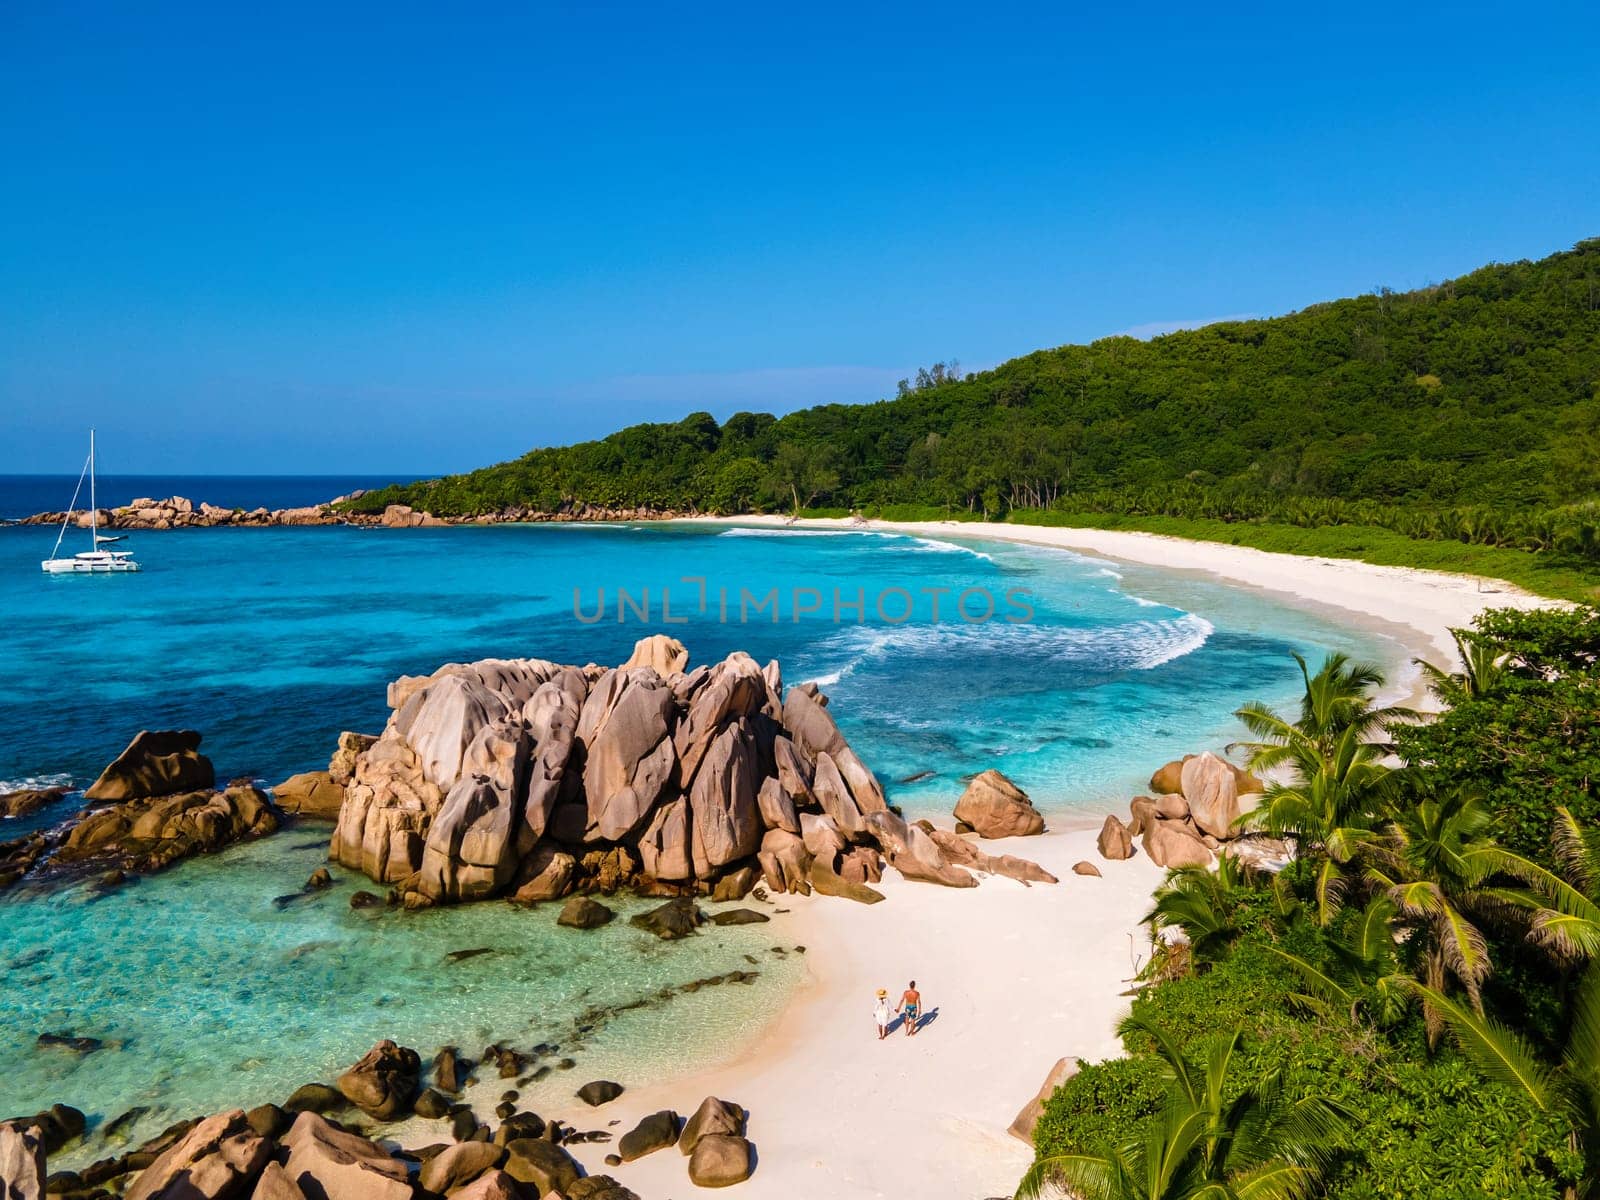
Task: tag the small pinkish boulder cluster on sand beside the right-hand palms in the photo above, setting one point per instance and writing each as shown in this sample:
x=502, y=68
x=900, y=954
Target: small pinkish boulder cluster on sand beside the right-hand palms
x=1191, y=817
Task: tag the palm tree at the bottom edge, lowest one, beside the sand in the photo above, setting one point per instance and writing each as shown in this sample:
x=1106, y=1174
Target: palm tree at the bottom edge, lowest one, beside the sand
x=1210, y=1142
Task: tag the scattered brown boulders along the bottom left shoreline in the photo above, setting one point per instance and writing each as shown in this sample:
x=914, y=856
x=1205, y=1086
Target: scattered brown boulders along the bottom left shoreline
x=313, y=1146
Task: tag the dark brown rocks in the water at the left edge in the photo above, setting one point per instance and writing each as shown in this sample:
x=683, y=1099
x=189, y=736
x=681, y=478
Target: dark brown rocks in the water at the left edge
x=156, y=807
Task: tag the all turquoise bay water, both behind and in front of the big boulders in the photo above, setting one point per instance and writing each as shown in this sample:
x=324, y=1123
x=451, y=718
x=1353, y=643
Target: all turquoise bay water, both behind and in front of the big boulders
x=273, y=641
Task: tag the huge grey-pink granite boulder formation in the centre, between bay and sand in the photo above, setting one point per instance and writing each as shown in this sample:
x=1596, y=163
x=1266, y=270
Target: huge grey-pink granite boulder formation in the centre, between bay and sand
x=534, y=780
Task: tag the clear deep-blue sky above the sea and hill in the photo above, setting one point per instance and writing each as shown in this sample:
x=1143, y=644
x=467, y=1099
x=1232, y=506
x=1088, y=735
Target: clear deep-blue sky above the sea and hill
x=415, y=239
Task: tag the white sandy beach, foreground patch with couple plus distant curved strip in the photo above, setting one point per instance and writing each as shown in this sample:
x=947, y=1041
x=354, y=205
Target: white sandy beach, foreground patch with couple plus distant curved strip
x=1017, y=977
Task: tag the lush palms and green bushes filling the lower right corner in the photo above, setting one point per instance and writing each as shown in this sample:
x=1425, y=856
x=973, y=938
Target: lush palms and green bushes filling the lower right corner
x=1417, y=996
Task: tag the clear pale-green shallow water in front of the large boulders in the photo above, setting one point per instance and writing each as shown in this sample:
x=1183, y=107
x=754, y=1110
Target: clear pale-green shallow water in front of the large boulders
x=207, y=994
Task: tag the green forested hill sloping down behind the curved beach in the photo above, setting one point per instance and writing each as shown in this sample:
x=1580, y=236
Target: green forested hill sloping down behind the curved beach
x=1468, y=410
